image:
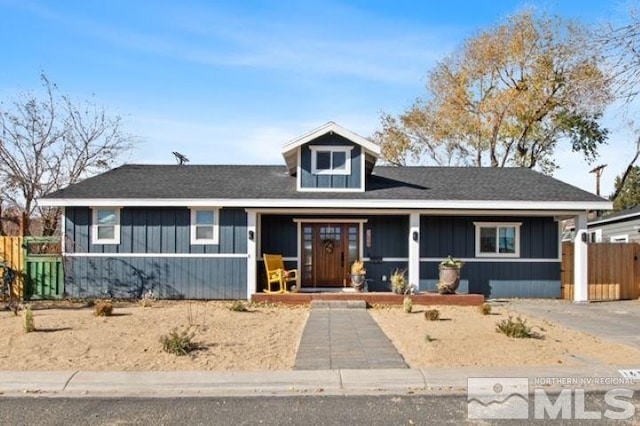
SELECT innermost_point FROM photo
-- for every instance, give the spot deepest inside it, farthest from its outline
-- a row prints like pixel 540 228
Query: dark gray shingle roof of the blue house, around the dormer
pixel 273 182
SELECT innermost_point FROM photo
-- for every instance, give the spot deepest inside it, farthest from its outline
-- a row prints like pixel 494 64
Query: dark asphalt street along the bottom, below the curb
pixel 278 410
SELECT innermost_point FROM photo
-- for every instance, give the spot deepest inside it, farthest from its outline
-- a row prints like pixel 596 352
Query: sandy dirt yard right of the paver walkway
pixel 464 337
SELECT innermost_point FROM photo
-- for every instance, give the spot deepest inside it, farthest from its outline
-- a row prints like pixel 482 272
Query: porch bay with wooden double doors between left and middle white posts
pixel 323 245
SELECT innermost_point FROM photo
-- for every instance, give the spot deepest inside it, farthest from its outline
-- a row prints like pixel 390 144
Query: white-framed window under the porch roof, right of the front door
pixel 497 239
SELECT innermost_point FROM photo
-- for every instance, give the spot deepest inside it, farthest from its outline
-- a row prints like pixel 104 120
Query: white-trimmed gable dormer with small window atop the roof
pixel 330 158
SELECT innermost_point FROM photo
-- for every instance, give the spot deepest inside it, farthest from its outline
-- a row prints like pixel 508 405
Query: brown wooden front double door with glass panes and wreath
pixel 328 250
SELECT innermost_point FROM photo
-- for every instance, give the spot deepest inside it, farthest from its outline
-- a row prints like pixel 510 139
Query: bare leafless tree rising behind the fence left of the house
pixel 48 142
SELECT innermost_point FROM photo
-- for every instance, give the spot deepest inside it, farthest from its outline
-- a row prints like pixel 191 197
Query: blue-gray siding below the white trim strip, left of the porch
pixel 168 278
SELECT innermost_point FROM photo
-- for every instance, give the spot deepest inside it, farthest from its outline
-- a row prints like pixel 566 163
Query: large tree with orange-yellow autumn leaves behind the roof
pixel 506 98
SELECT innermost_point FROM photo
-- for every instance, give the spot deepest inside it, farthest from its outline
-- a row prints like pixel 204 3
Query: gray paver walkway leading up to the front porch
pixel 343 335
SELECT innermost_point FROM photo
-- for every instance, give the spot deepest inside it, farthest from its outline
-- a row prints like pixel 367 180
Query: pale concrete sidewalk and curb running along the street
pixel 319 382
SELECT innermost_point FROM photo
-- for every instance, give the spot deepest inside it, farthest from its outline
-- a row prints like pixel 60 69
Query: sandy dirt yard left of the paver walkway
pixel 73 338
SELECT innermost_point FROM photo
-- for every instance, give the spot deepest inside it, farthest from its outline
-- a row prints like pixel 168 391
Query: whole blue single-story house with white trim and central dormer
pixel 199 231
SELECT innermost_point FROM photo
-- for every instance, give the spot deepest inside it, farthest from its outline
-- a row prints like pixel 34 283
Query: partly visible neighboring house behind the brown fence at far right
pixel 618 227
